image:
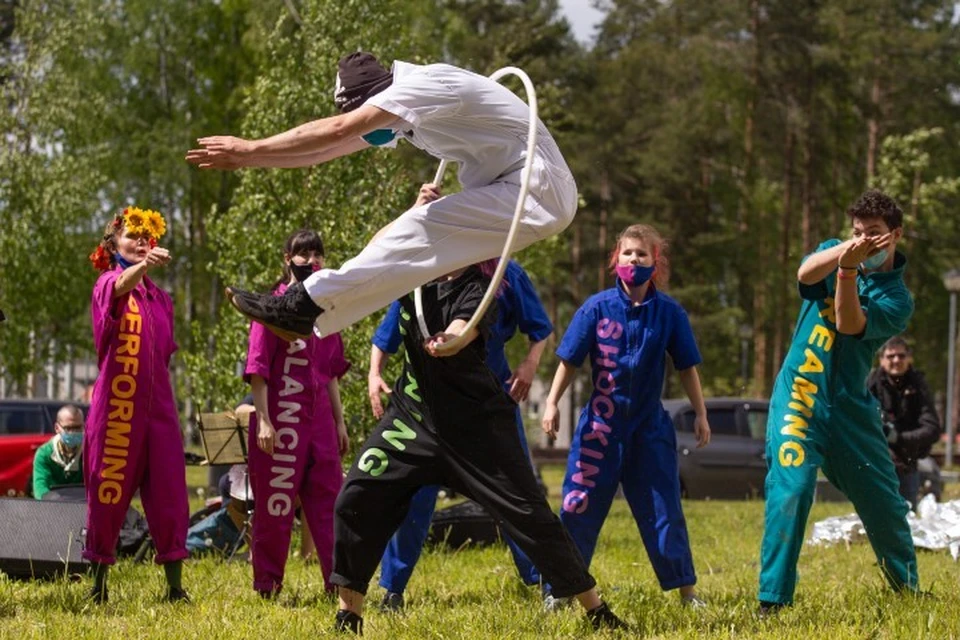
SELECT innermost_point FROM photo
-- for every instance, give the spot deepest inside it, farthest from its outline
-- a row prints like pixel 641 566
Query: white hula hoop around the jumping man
pixel 514 225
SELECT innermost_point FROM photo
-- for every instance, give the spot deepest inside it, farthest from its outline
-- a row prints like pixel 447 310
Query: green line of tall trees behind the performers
pixel 740 128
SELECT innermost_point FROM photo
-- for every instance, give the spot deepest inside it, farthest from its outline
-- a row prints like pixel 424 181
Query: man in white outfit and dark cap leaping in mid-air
pixel 450 113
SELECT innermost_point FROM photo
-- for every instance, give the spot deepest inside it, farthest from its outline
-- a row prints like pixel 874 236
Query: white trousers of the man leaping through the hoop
pixel 428 242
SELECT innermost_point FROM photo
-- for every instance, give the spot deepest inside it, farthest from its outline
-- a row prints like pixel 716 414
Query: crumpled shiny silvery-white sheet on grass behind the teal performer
pixel 934 527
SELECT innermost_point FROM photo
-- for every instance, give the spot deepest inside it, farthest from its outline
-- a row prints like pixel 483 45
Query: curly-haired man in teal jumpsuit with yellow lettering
pixel 821 414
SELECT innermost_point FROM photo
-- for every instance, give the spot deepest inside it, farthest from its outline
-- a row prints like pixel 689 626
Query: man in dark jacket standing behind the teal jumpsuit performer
pixel 910 420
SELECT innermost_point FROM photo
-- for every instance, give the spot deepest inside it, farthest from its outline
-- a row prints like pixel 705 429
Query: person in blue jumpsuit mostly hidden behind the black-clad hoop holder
pixel 518 307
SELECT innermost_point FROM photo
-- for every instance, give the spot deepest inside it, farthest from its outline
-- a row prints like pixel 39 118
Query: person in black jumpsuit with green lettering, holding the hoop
pixel 449 422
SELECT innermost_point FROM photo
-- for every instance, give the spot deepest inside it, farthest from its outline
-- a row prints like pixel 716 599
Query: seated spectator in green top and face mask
pixel 60 460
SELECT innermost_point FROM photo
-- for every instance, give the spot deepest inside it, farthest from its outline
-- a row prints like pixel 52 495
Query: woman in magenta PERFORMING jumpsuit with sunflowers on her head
pixel 132 440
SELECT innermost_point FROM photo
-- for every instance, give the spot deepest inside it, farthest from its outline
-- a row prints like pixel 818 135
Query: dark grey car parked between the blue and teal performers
pixel 734 465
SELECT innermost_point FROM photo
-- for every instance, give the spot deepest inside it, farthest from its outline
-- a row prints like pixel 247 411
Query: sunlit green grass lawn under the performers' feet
pixel 473 593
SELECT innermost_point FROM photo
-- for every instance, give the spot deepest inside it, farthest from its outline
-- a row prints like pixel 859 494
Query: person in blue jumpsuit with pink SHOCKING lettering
pixel 624 435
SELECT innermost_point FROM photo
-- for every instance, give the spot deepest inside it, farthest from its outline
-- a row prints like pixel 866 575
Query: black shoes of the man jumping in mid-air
pixel 290 316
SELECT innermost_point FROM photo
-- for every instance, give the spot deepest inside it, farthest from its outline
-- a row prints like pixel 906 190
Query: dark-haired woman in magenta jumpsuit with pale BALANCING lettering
pixel 300 434
